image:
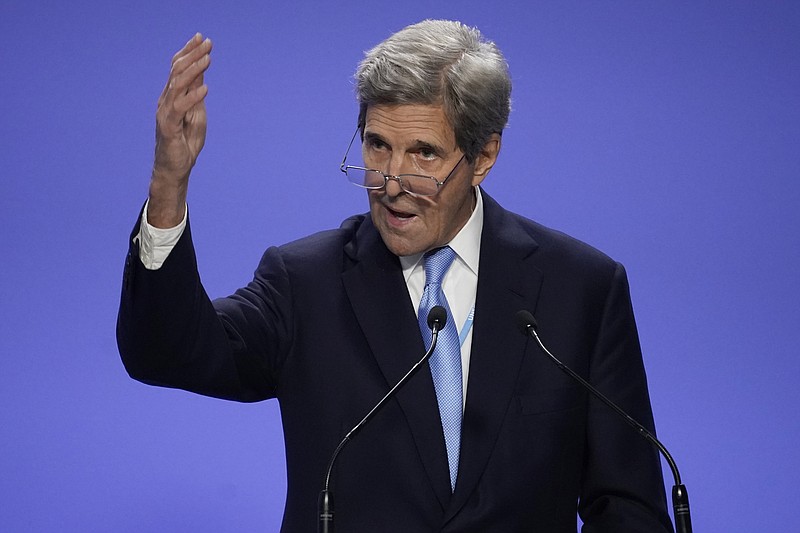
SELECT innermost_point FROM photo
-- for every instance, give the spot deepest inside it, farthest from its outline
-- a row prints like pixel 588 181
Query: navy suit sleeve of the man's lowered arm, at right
pixel 623 488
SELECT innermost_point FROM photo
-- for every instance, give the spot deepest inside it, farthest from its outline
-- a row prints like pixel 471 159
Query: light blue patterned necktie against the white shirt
pixel 445 362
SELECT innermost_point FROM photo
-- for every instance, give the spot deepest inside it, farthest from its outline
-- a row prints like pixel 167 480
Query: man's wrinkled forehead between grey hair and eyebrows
pixel 409 124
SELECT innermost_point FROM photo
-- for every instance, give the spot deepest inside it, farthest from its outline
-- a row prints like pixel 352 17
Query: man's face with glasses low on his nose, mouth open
pixel 418 139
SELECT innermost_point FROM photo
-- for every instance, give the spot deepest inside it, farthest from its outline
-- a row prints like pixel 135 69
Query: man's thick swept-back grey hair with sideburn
pixel 440 62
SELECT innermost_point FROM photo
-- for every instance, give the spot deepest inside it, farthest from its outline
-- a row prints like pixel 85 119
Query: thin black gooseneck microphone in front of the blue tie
pixel 437 318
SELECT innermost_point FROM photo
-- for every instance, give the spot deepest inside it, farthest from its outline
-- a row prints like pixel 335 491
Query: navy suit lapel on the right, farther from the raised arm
pixel 507 282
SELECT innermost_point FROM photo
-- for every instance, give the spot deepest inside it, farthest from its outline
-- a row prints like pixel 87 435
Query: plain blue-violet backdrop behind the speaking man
pixel 665 133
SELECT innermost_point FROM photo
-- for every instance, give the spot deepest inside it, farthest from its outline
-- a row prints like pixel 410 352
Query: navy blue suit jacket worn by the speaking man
pixel 326 326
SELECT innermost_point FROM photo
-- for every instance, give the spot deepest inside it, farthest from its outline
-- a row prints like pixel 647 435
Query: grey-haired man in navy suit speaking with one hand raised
pixel 330 322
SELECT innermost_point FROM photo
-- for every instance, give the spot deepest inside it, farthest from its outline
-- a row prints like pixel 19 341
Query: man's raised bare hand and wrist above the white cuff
pixel 180 132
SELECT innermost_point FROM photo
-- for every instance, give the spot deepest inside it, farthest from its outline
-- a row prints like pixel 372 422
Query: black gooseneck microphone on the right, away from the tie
pixel 680 499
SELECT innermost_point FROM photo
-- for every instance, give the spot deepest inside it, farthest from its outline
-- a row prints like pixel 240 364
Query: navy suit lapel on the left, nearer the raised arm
pixel 378 294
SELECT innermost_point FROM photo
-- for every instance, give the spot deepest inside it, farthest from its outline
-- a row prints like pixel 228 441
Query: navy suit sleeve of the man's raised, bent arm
pixel 170 333
